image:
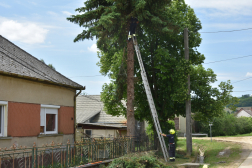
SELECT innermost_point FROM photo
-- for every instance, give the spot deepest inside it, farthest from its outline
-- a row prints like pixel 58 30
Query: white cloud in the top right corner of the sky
pixel 223 7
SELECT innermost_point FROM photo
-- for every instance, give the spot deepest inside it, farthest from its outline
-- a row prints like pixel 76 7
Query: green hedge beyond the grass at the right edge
pixel 227 125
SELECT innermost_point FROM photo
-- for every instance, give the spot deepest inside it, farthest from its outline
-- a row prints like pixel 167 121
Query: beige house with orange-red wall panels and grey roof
pixel 37 104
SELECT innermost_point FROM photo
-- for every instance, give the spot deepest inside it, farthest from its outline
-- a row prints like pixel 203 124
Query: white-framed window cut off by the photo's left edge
pixel 3 118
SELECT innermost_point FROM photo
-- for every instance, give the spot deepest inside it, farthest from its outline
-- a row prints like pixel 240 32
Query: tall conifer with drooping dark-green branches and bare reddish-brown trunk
pixel 109 21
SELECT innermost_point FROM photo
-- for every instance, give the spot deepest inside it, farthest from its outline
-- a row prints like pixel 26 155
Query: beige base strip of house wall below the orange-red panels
pixel 39 140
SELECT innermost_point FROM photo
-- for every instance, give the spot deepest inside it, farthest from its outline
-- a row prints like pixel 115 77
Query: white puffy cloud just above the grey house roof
pixel 27 32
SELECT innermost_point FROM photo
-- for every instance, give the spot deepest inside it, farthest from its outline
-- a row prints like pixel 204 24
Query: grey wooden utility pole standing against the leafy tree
pixel 188 102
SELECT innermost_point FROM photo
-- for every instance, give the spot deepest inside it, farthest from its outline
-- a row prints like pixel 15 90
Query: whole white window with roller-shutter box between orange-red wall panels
pixel 49 119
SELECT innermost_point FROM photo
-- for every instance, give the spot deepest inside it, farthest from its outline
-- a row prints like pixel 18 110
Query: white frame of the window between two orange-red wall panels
pixel 44 106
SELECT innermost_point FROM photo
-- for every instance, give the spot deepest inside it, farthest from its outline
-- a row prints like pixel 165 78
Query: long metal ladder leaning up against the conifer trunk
pixel 150 101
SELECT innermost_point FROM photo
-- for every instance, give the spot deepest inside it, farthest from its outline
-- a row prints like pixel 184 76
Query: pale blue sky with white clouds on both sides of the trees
pixel 40 28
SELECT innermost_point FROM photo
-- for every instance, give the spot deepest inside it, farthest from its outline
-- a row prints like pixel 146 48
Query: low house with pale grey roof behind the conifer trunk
pixel 93 121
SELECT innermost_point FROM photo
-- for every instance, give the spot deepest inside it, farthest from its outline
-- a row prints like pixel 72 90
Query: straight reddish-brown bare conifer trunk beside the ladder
pixel 130 89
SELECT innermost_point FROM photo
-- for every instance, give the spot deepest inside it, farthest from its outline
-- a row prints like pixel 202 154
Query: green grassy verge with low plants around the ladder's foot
pixel 212 149
